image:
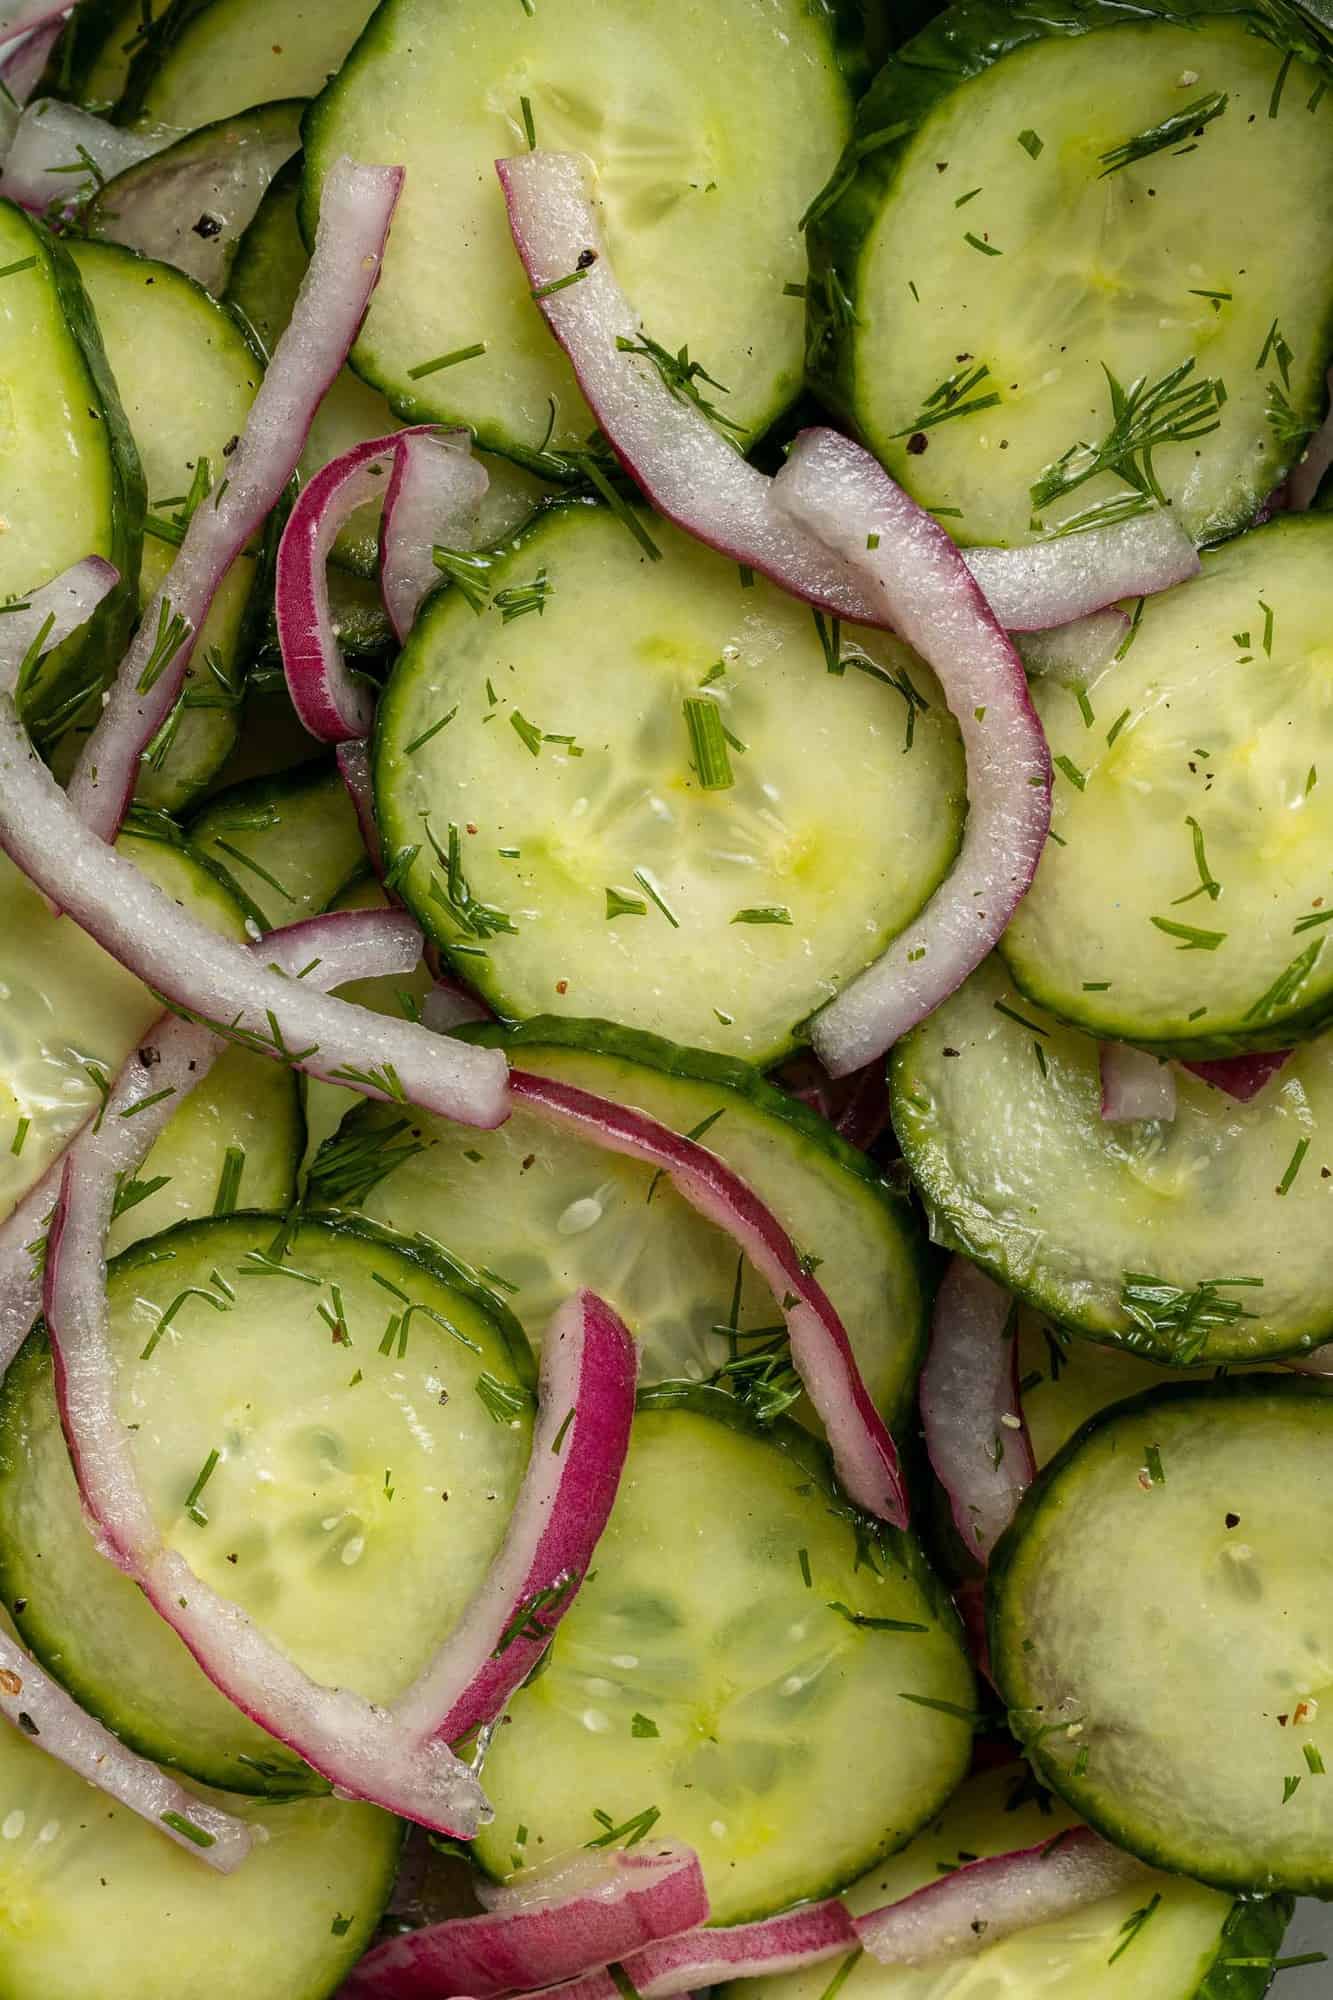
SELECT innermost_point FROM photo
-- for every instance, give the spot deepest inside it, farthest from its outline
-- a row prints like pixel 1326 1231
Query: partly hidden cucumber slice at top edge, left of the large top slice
pixel 213 59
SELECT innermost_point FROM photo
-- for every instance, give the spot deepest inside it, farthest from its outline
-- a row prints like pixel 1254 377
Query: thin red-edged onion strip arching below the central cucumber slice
pixel 864 1453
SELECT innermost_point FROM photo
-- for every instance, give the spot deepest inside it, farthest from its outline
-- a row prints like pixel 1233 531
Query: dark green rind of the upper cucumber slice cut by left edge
pixel 91 657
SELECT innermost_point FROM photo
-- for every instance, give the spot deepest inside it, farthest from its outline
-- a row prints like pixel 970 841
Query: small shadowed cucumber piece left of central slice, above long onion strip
pixel 285 845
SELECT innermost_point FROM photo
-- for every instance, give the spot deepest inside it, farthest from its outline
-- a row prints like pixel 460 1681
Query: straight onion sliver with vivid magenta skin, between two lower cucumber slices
pixel 579 1445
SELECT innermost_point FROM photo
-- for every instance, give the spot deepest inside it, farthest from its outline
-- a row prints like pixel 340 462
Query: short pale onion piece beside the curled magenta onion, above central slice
pixel 435 495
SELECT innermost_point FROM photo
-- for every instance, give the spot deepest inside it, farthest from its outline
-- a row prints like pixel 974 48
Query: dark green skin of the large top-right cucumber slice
pixel 956 47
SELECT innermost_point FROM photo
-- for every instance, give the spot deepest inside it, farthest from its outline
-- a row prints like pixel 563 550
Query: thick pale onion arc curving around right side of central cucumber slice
pixel 928 595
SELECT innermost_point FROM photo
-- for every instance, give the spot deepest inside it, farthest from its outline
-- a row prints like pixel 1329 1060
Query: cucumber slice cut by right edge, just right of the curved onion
pixel 1224 913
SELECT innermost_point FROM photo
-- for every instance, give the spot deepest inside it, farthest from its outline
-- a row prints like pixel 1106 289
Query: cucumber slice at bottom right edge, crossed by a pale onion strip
pixel 1180 1951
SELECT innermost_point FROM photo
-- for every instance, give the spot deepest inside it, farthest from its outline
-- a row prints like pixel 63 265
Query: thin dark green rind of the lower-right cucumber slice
pixel 1006 1651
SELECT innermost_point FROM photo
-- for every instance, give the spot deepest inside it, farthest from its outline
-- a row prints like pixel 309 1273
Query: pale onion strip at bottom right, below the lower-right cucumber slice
pixel 988 1901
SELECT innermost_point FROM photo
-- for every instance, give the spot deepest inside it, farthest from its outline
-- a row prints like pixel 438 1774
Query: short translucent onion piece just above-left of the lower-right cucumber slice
pixel 972 1409
